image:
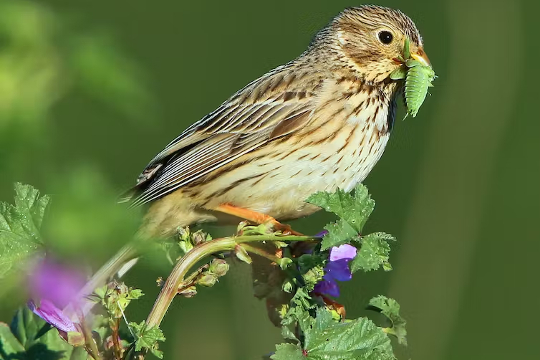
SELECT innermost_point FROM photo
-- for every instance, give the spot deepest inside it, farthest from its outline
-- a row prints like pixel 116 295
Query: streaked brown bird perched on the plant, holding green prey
pixel 317 123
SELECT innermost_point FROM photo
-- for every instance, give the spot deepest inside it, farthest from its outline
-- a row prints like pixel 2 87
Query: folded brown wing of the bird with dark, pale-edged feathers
pixel 271 107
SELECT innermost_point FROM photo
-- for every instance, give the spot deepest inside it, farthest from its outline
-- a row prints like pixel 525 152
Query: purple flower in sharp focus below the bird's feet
pixel 337 268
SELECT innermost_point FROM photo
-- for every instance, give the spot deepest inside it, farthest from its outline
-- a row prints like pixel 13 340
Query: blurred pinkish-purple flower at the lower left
pixel 52 288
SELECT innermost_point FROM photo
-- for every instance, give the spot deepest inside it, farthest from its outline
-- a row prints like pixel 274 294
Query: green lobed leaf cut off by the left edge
pixel 19 226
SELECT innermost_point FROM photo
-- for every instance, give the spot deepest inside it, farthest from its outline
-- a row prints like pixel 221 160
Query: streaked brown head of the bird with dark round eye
pixel 371 40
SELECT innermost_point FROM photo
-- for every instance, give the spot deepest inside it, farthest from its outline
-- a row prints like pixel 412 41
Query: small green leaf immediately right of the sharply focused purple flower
pixel 374 252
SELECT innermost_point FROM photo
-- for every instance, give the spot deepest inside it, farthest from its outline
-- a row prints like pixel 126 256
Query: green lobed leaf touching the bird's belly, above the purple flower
pixel 353 210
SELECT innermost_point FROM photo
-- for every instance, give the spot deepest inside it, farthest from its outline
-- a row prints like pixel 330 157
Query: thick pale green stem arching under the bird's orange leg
pixel 199 252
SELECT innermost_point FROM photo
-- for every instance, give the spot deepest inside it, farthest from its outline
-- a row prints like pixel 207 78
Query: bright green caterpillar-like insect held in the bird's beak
pixel 418 79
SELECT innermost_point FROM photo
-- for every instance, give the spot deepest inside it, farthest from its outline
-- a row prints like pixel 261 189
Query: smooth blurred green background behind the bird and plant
pixel 91 90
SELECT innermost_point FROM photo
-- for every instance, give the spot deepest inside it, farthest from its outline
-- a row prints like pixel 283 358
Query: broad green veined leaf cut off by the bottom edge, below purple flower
pixel 356 339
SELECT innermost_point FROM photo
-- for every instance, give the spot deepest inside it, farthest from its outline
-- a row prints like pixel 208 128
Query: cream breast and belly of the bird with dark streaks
pixel 337 150
